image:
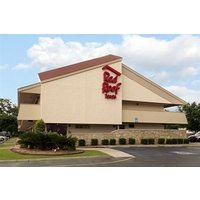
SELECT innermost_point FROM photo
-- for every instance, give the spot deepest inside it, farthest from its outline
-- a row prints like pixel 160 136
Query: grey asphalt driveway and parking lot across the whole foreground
pixel 163 156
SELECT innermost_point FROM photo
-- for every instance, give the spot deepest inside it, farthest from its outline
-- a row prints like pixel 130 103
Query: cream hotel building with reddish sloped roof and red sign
pixel 96 96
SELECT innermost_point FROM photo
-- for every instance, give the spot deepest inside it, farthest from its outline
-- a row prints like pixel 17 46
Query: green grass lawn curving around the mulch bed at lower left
pixel 7 154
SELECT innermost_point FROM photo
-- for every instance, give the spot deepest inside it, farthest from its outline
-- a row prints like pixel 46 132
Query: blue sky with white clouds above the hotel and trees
pixel 170 60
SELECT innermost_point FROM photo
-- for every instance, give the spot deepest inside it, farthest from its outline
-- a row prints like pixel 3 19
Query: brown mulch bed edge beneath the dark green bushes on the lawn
pixel 25 151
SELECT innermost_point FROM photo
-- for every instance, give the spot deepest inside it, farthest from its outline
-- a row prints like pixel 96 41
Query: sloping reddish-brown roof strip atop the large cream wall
pixel 78 66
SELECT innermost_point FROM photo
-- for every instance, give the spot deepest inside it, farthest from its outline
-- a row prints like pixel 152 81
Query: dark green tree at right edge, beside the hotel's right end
pixel 192 112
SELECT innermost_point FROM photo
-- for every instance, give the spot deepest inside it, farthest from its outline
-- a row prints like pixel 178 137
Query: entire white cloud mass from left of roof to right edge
pixel 166 62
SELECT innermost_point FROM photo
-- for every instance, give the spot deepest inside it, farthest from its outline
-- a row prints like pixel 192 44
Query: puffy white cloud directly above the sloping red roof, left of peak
pixel 52 53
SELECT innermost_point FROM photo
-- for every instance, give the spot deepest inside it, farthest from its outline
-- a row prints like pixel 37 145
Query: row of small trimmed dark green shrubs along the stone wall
pixel 124 141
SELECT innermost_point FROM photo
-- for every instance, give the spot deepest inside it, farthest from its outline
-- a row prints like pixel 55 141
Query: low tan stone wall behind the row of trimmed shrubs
pixel 137 134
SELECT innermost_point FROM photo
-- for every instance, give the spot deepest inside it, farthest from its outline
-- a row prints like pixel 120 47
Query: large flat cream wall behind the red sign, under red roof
pixel 78 99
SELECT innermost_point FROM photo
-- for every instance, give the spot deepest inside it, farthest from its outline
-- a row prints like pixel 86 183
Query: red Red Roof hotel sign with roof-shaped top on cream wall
pixel 110 85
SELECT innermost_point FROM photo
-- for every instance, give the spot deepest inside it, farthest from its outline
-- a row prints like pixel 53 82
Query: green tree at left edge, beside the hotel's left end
pixel 8 116
